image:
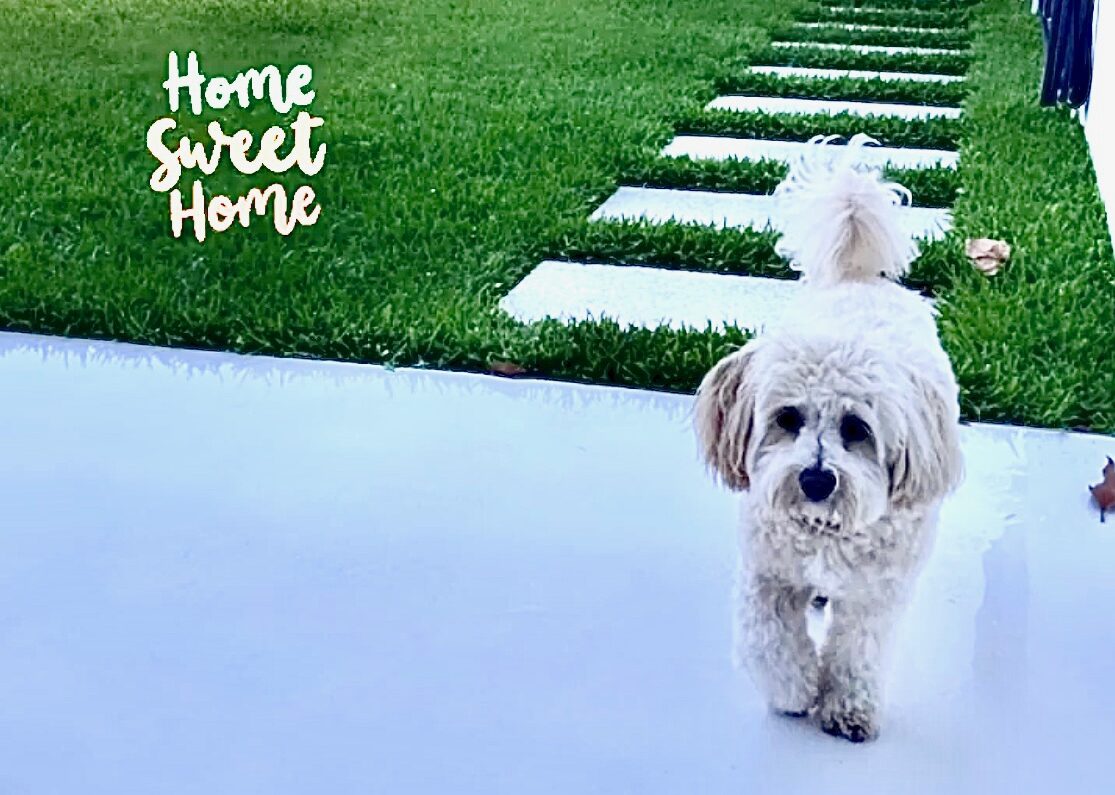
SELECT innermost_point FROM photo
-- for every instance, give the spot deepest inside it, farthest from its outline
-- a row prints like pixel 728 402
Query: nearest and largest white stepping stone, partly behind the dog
pixel 647 297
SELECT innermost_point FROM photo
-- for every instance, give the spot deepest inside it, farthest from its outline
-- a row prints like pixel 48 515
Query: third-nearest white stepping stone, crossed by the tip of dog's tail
pixel 710 148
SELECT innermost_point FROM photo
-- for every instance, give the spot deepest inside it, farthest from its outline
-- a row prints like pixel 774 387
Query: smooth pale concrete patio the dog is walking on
pixel 230 575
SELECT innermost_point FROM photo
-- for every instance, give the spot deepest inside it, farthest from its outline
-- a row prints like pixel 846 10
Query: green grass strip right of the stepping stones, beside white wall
pixel 1027 345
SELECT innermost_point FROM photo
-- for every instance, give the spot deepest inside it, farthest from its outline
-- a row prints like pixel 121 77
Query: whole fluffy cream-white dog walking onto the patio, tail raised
pixel 840 425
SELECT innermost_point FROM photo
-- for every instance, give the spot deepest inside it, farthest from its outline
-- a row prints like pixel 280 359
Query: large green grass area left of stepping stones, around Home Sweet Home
pixel 461 137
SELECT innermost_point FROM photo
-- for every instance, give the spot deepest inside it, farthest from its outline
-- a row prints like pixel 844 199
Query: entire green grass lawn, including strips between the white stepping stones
pixel 468 141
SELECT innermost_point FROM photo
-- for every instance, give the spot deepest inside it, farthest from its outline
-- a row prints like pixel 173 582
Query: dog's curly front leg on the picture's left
pixel 774 644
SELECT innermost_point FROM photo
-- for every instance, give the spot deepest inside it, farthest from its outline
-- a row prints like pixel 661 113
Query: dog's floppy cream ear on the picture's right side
pixel 928 463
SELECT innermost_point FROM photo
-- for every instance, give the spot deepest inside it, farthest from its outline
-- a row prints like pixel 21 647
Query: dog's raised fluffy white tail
pixel 840 220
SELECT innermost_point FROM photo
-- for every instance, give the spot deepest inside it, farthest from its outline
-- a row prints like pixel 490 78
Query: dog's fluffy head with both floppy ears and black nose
pixel 828 432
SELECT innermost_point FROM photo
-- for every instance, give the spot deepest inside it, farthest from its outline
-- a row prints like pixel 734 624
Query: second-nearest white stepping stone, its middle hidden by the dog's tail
pixel 733 211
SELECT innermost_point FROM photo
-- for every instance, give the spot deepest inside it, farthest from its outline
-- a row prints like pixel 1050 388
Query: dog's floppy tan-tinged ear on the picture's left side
pixel 724 416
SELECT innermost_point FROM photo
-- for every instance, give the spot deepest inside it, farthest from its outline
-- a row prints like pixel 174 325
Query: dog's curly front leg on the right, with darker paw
pixel 852 668
